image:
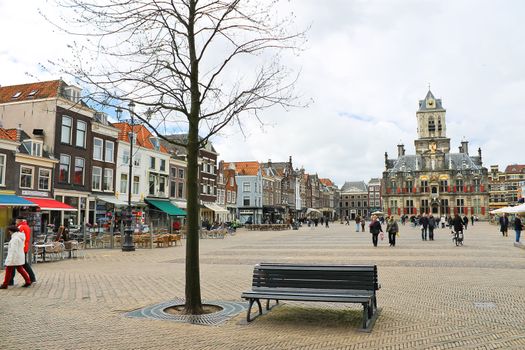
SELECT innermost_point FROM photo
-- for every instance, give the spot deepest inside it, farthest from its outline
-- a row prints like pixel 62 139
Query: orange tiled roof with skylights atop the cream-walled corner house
pixel 23 92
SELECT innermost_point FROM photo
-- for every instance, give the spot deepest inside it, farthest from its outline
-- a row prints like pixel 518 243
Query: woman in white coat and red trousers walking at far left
pixel 15 257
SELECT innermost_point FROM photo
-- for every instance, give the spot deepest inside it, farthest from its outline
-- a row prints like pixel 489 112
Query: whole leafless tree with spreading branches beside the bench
pixel 197 64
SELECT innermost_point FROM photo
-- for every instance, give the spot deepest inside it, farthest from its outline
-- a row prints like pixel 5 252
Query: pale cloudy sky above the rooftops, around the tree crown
pixel 365 66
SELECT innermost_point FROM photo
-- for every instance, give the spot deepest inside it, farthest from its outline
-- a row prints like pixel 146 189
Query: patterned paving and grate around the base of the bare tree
pixel 156 312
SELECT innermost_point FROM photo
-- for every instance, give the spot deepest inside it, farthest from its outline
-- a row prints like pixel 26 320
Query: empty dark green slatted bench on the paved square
pixel 318 283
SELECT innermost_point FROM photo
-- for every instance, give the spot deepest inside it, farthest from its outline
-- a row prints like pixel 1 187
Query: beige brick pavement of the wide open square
pixel 434 295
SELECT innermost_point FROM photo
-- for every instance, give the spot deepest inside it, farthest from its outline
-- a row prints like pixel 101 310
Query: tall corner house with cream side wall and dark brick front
pixel 54 111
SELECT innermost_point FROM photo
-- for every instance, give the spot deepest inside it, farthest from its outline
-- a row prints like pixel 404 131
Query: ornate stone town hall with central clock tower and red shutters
pixel 434 180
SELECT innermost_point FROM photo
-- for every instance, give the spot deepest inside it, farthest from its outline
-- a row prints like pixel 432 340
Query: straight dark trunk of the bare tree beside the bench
pixel 193 288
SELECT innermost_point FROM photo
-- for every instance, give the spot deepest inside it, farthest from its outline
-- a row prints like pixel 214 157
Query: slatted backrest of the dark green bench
pixel 293 276
